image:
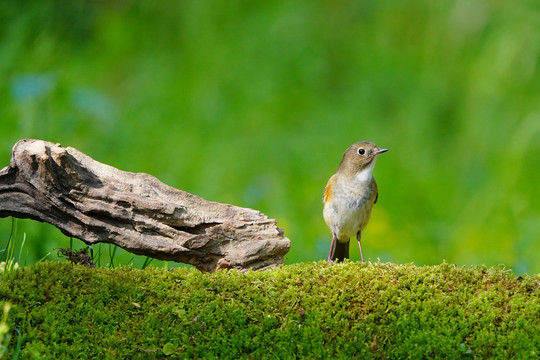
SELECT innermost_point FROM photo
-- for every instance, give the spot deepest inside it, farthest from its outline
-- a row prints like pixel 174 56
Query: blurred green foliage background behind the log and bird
pixel 253 103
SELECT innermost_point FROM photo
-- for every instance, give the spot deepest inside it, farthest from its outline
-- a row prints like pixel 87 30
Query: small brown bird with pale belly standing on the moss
pixel 349 197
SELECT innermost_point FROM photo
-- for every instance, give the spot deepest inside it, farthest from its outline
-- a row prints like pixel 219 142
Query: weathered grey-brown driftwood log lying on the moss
pixel 98 203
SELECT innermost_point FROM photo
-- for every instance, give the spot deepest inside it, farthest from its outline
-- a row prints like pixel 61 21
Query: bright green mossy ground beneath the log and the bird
pixel 306 310
